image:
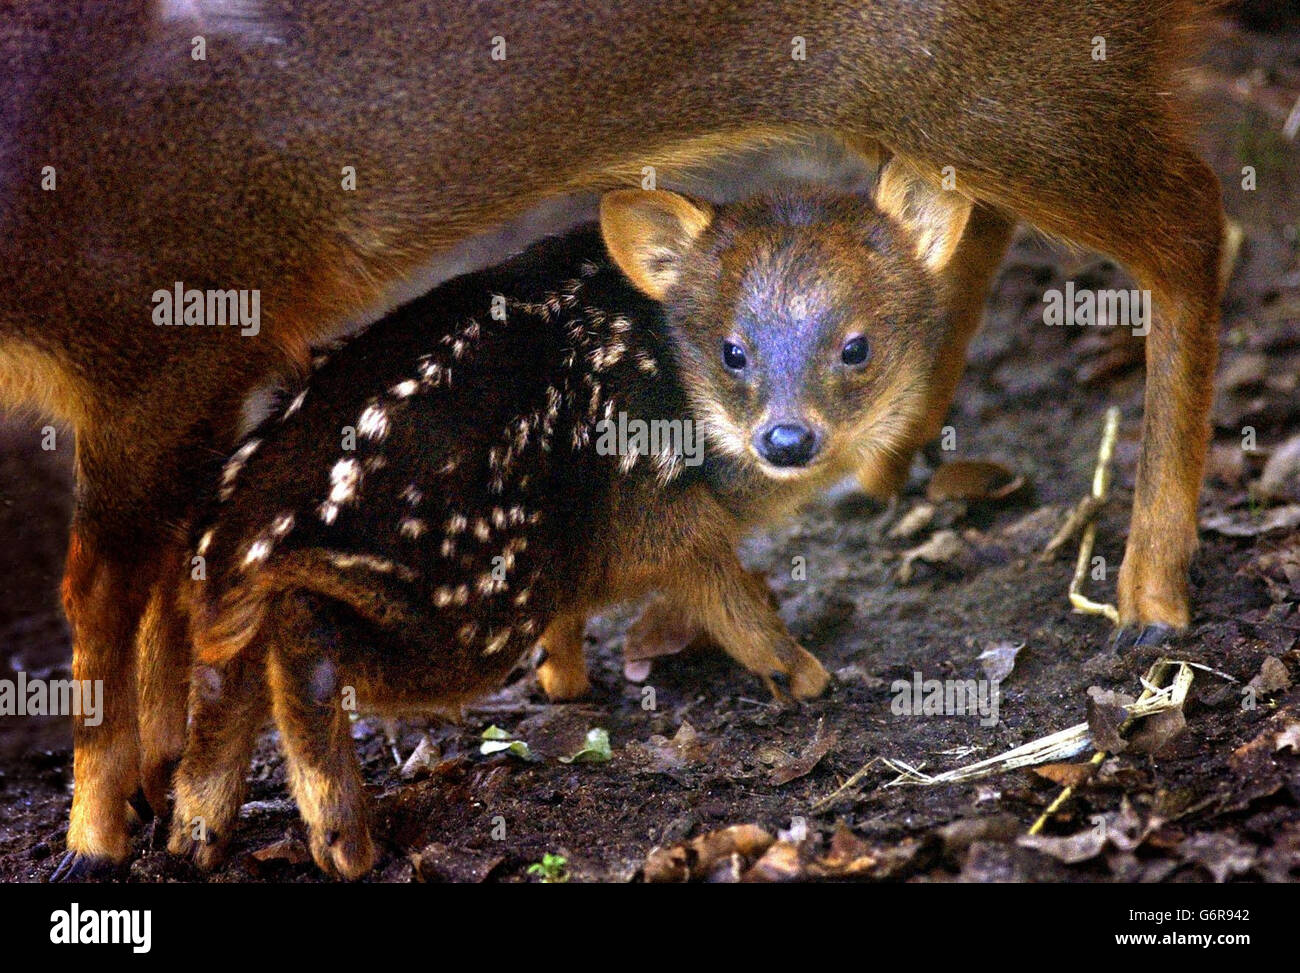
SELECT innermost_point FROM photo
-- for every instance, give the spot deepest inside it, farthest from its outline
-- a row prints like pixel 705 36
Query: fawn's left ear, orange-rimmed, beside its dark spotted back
pixel 649 232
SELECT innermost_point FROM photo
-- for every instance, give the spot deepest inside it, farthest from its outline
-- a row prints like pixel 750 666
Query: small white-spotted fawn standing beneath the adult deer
pixel 457 483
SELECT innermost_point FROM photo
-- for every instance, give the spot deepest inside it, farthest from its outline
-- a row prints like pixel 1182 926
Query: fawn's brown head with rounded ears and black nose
pixel 809 325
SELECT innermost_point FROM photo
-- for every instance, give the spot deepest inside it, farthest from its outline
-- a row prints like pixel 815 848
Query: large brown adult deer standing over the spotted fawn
pixel 319 154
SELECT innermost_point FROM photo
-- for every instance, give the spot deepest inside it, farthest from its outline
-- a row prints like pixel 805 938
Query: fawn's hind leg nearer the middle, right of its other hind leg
pixel 307 702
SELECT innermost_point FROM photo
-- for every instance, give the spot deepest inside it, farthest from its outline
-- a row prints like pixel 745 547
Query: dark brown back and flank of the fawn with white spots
pixel 439 468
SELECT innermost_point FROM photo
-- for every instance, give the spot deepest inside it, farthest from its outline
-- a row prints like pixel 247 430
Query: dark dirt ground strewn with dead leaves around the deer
pixel 1220 801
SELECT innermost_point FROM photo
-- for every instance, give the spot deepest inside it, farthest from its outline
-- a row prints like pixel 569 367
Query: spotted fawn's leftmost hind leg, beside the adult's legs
pixel 229 706
